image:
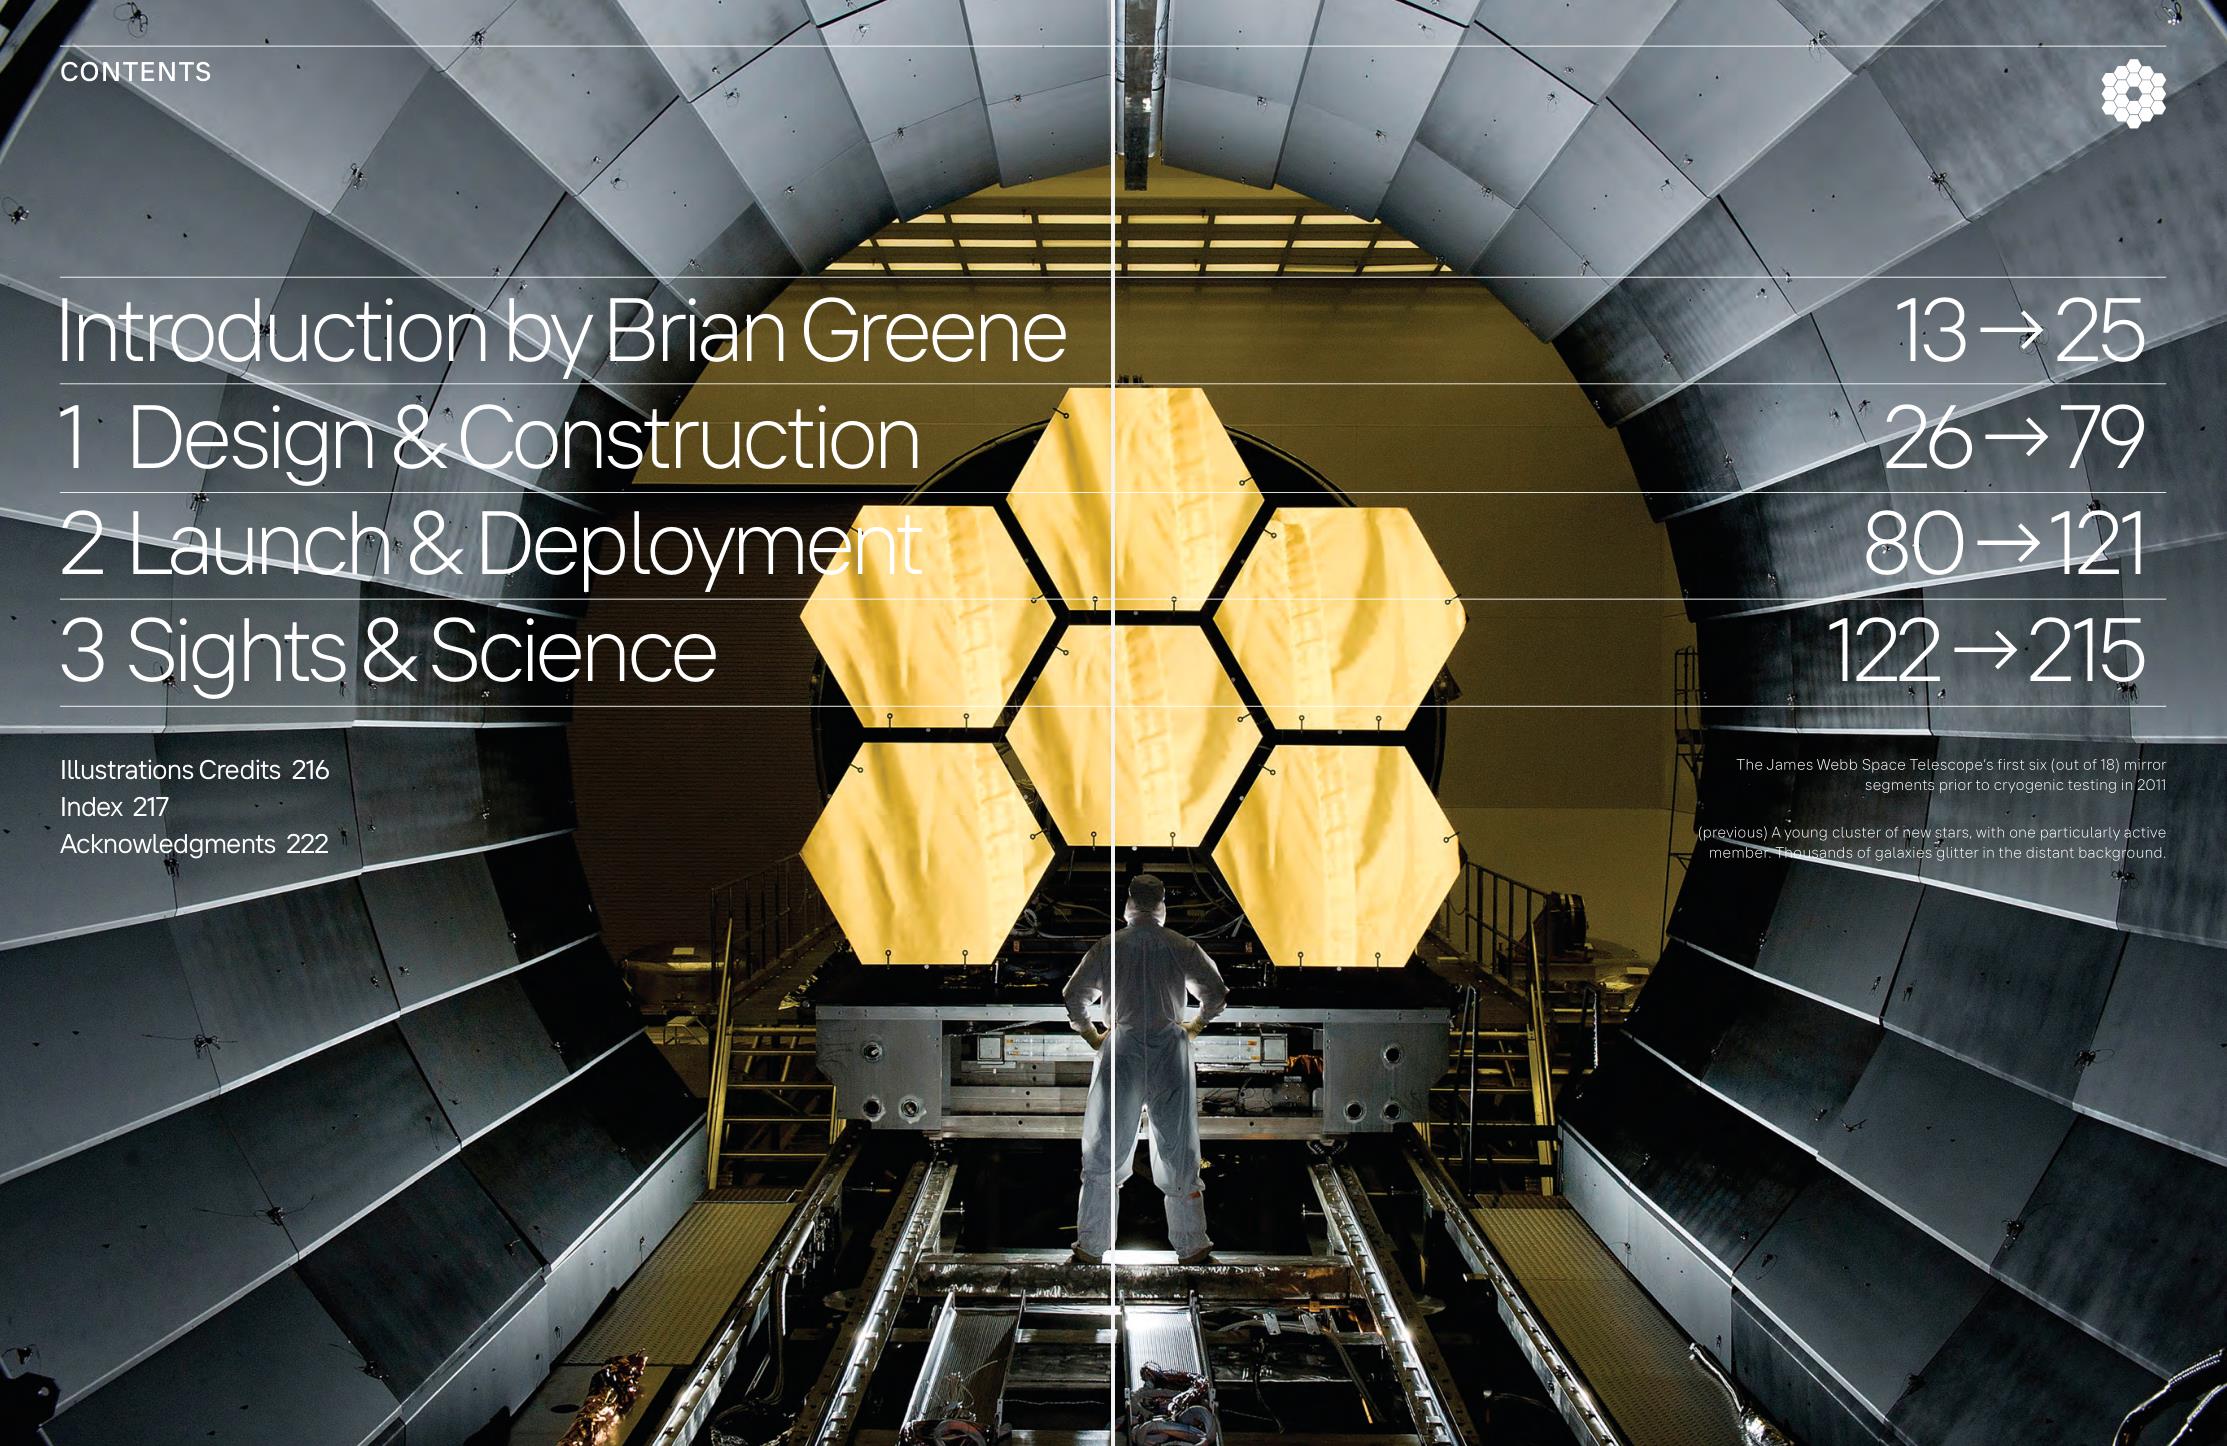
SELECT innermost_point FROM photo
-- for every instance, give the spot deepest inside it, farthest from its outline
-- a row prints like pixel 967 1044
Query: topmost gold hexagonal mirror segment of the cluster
pixel 1135 494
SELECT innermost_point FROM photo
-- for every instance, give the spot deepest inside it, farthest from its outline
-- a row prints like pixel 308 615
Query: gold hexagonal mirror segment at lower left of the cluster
pixel 928 852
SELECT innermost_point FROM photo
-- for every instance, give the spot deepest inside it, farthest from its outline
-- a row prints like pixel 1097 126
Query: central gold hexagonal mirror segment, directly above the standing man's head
pixel 1135 736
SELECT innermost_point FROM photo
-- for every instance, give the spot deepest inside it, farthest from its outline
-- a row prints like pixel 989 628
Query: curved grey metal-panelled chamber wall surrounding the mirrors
pixel 1916 1151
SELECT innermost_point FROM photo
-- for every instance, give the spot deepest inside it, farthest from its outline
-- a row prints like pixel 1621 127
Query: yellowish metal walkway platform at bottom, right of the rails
pixel 1627 1349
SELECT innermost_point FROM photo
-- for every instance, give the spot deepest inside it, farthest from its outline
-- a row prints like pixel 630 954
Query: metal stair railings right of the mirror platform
pixel 1498 921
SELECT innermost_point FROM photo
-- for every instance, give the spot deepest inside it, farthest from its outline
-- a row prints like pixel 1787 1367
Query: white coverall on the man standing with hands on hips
pixel 1144 975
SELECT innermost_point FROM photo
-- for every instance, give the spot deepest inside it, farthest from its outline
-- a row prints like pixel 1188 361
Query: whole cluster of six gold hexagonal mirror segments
pixel 1132 734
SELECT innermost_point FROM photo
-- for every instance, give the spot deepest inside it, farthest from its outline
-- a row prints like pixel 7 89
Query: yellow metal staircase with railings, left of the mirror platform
pixel 772 1111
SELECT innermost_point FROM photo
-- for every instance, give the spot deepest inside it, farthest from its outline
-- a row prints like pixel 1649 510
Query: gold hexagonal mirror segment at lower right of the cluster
pixel 1340 857
